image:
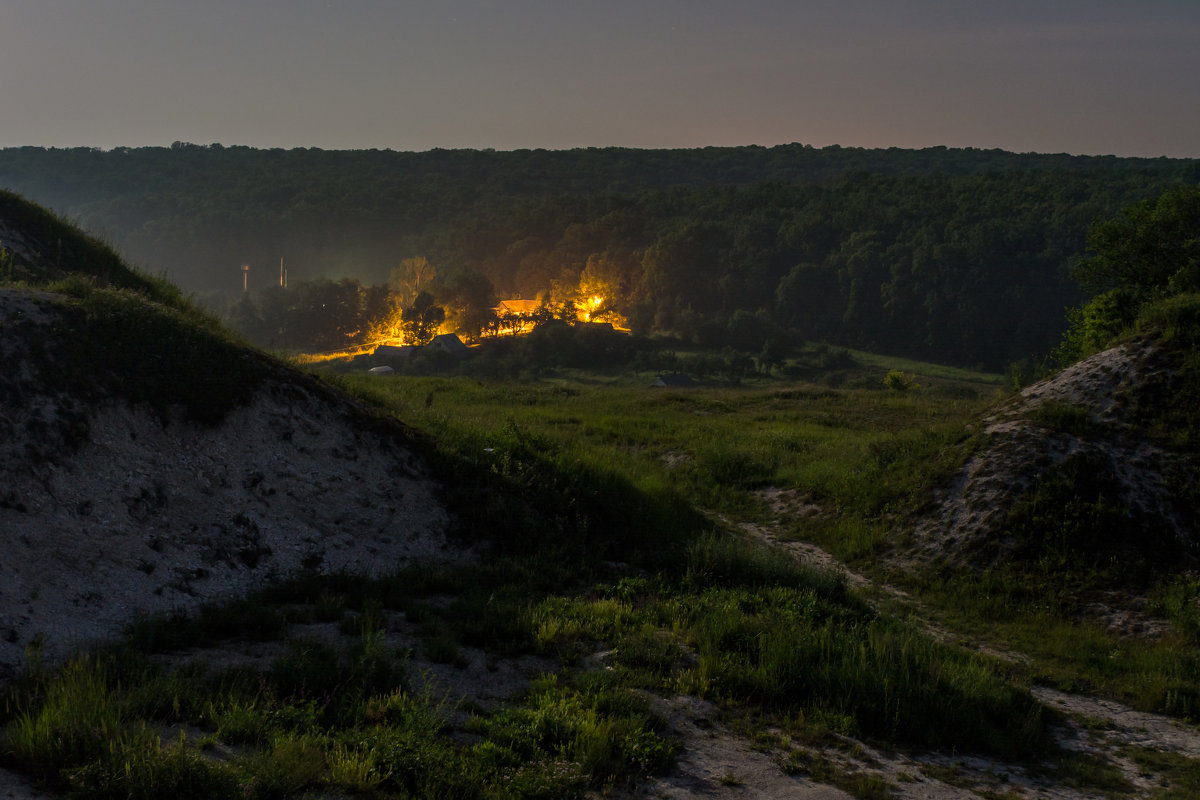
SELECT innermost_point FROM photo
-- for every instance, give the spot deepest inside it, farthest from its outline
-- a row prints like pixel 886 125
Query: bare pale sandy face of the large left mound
pixel 147 518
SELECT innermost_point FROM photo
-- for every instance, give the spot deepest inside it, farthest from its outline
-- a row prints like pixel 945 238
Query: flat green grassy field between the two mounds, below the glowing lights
pixel 854 452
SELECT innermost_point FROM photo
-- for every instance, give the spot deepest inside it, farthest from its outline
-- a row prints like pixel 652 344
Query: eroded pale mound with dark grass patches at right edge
pixel 1073 471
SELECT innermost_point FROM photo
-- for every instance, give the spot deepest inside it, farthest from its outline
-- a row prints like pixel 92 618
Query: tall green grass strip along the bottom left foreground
pixel 88 735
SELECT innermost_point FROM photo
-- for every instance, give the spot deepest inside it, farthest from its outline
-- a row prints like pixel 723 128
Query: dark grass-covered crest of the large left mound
pixel 124 334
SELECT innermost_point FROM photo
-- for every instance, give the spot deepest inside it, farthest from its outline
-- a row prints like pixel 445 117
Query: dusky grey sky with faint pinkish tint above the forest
pixel 1088 77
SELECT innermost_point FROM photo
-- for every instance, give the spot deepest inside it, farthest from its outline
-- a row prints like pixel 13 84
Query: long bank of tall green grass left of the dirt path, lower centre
pixel 745 625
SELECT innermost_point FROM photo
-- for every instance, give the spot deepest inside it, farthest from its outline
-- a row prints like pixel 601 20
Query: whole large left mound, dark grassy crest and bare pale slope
pixel 152 464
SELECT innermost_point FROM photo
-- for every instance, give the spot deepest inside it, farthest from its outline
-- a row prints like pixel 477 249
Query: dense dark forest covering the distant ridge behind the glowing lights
pixel 958 256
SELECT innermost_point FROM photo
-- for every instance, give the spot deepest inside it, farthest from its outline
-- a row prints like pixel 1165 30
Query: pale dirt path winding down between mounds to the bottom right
pixel 718 763
